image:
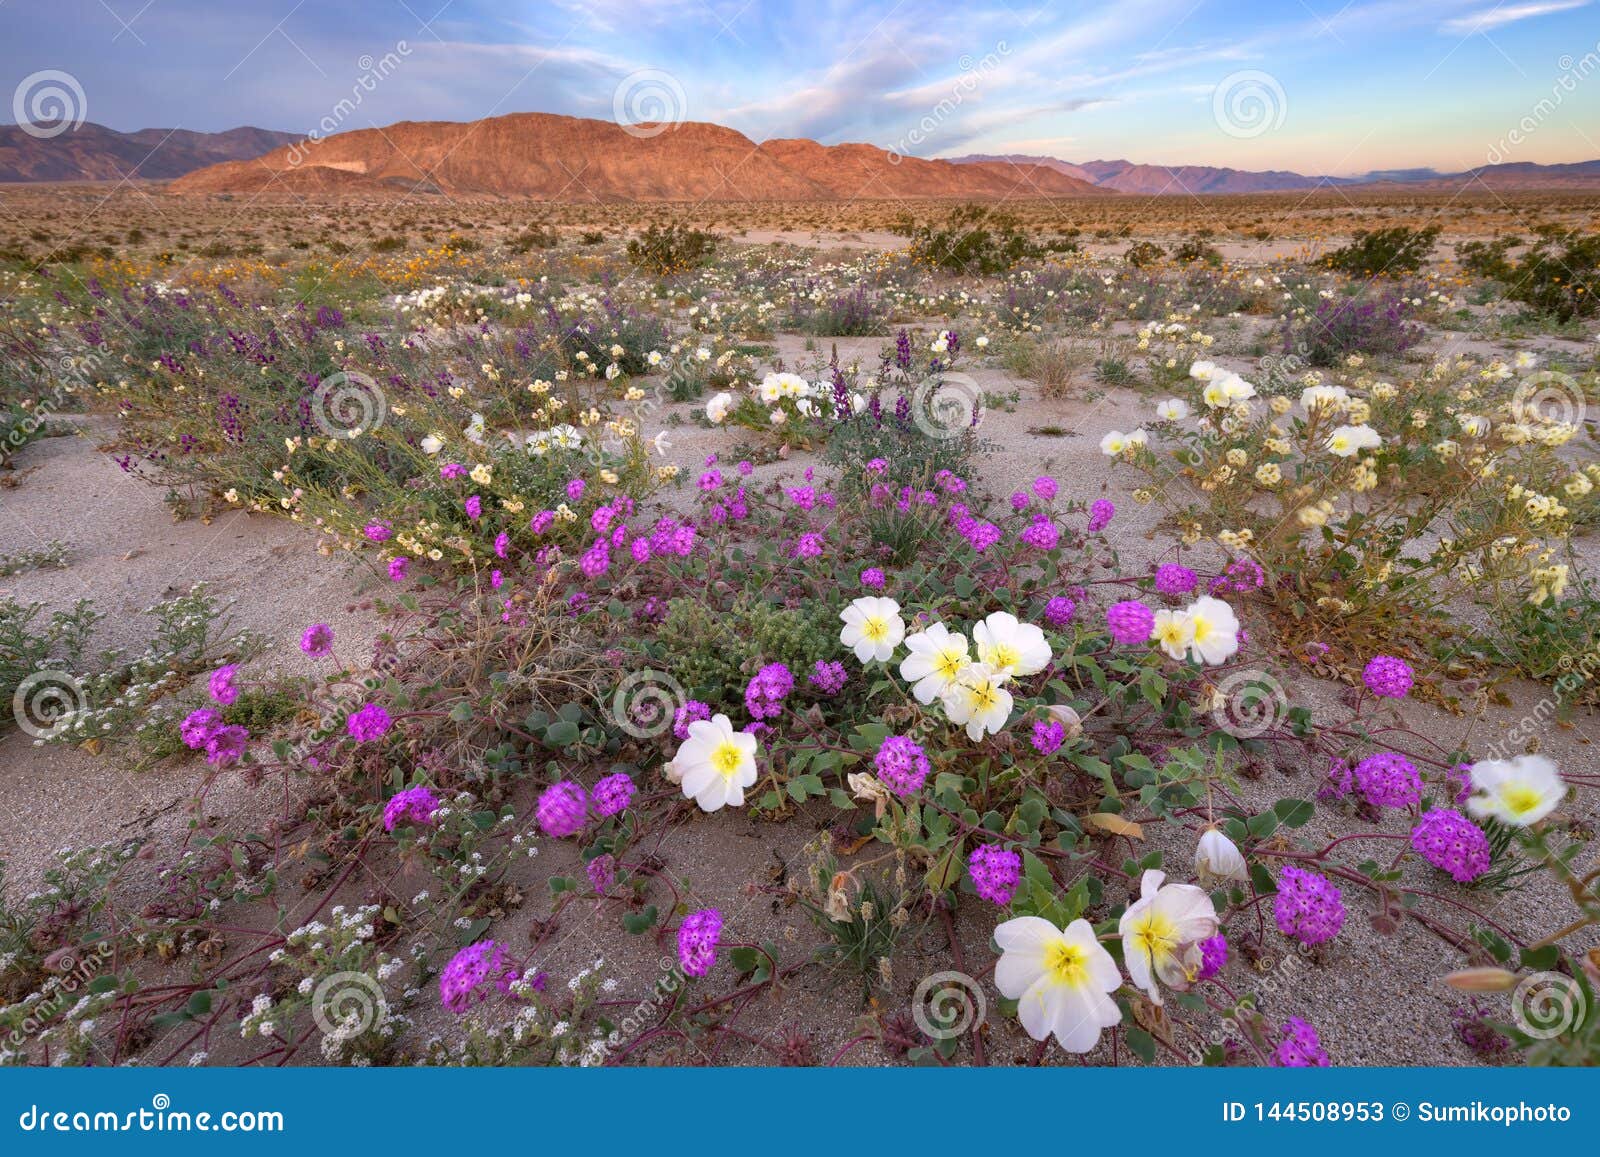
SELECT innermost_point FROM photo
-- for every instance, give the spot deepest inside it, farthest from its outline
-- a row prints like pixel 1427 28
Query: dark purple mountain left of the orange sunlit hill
pixel 94 153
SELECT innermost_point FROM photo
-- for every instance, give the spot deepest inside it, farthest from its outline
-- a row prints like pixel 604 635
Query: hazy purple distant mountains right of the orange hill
pixel 1158 180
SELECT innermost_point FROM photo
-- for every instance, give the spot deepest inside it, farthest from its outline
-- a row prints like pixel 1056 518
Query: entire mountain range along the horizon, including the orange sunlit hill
pixel 551 158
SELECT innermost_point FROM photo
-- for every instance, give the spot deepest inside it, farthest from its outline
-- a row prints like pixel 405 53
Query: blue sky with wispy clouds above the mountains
pixel 1310 86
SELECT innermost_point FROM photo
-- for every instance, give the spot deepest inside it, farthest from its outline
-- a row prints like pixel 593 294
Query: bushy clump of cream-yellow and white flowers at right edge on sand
pixel 1332 487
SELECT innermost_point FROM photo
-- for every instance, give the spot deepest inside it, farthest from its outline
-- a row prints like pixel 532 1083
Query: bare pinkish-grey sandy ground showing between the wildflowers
pixel 1377 999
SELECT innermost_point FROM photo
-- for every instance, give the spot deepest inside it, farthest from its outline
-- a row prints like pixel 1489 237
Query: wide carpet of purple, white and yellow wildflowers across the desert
pixel 1022 735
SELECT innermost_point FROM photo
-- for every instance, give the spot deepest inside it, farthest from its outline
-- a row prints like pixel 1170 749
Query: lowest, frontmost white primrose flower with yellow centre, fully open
pixel 1060 979
